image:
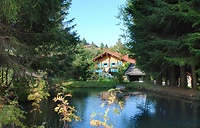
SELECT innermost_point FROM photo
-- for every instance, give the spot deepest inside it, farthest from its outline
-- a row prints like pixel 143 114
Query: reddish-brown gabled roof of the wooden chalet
pixel 117 55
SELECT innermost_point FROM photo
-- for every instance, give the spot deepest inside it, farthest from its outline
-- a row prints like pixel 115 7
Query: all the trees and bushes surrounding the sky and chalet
pixel 39 49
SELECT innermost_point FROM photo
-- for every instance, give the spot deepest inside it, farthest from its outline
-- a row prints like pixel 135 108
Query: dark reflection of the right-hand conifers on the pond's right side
pixel 168 112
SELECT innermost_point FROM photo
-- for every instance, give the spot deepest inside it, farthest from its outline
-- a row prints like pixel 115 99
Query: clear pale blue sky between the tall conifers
pixel 96 20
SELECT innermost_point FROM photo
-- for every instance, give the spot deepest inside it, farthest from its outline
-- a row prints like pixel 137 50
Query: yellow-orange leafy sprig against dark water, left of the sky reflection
pixel 64 109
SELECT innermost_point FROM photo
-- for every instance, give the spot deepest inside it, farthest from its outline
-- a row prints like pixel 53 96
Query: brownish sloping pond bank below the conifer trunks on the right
pixel 172 91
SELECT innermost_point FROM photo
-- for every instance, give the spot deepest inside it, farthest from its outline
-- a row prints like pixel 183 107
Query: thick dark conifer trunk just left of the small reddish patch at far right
pixel 183 78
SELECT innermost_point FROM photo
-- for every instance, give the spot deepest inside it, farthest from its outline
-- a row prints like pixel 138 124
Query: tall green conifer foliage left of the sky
pixel 34 36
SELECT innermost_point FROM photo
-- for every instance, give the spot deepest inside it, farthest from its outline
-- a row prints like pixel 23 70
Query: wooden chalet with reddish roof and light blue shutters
pixel 110 61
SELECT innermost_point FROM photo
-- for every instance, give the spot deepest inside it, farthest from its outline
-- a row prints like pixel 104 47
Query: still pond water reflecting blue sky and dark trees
pixel 140 110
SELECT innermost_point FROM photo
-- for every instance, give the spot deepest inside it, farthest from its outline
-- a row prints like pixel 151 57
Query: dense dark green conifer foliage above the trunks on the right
pixel 162 33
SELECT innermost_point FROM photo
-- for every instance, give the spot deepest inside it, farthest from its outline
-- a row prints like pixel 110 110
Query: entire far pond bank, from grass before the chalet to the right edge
pixel 171 91
